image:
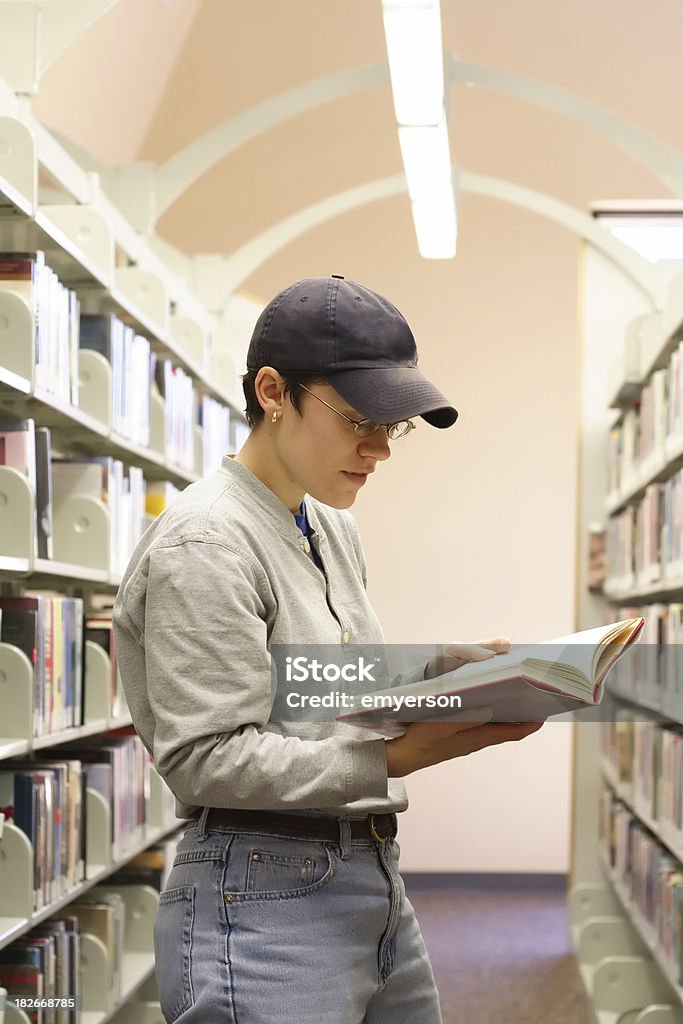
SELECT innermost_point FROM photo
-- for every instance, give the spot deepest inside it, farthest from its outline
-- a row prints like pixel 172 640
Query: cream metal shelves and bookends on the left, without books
pixel 113 270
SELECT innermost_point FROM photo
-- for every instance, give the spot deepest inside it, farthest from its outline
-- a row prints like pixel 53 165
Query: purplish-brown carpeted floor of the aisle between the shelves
pixel 501 958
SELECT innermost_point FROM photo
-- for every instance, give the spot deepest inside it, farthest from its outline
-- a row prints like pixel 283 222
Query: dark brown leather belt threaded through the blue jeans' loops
pixel 378 828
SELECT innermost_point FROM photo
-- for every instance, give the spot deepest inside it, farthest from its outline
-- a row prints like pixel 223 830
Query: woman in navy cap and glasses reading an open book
pixel 285 902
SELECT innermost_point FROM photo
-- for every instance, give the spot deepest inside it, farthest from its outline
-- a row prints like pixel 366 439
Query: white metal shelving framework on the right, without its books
pixel 625 972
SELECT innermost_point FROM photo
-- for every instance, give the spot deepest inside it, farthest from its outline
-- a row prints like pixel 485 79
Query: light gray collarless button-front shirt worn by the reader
pixel 221 577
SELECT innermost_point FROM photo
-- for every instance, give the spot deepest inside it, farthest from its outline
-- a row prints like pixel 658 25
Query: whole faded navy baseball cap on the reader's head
pixel 358 340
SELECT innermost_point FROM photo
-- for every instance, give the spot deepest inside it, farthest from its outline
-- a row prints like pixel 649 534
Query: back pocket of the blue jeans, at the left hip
pixel 174 951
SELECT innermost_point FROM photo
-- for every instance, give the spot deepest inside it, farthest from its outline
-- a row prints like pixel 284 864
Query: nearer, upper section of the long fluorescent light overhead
pixel 413 30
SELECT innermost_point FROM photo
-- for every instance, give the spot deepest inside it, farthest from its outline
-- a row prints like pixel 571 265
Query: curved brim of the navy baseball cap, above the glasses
pixel 388 395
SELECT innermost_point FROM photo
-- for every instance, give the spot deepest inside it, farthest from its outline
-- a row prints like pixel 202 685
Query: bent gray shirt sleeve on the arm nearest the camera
pixel 208 680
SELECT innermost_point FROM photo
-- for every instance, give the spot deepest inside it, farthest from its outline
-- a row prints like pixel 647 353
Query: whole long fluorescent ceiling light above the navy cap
pixel 413 30
